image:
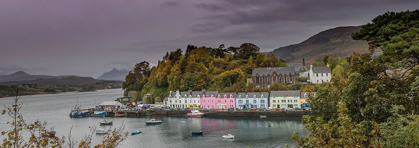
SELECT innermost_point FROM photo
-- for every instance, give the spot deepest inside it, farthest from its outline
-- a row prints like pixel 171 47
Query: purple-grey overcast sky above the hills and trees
pixel 90 37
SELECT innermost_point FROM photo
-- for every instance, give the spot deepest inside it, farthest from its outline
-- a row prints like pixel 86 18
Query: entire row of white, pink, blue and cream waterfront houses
pixel 240 100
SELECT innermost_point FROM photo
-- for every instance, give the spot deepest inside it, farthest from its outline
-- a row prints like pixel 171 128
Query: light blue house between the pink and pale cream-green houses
pixel 252 100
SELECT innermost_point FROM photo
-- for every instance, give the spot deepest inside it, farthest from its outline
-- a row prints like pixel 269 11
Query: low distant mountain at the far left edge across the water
pixel 21 76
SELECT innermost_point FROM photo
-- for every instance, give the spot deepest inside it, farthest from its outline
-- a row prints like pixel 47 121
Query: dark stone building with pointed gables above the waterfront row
pixel 264 77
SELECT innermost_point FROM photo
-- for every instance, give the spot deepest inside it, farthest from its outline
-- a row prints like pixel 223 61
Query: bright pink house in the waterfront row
pixel 214 100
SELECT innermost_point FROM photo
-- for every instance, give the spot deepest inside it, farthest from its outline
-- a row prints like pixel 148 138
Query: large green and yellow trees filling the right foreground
pixel 372 102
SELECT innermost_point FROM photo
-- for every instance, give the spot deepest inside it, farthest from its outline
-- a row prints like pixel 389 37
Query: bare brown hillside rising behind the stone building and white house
pixel 336 42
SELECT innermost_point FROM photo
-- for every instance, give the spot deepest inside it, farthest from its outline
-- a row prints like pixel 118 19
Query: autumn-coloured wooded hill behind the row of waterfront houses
pixel 200 68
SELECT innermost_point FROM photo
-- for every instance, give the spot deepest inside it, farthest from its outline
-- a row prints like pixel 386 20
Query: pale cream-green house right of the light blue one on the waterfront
pixel 284 99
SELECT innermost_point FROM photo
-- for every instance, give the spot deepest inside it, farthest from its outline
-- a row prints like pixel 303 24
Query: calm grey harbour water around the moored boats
pixel 174 132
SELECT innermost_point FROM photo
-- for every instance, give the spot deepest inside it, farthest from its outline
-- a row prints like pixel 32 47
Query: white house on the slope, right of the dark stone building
pixel 319 74
